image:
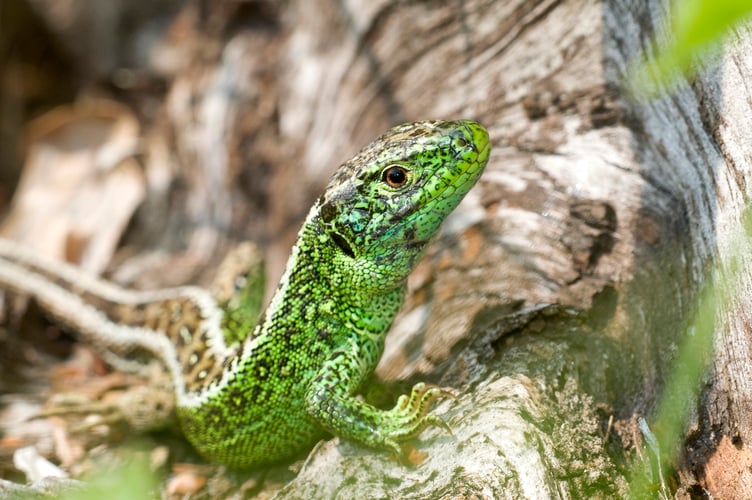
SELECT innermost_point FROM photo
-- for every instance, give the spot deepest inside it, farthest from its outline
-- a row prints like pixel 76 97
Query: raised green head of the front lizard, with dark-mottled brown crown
pixel 383 206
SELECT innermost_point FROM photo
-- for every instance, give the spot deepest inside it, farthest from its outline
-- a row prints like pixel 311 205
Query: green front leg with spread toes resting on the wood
pixel 331 401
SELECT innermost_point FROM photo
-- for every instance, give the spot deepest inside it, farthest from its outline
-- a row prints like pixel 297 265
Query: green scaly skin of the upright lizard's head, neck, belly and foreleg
pixel 324 331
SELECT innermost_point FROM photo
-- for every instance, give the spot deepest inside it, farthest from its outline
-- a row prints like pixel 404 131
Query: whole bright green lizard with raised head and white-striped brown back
pixel 251 396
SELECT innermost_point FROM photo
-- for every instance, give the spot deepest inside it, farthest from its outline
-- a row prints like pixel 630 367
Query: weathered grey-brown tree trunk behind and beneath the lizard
pixel 559 293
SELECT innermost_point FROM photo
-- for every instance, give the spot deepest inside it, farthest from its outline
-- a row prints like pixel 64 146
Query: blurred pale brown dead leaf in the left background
pixel 80 183
